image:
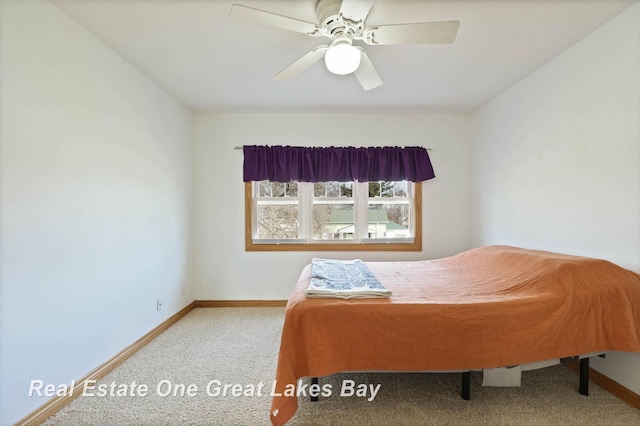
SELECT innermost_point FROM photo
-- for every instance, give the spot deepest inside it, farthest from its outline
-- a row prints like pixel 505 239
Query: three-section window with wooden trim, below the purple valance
pixel 356 216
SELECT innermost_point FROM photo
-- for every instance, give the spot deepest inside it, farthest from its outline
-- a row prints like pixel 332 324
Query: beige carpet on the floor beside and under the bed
pixel 240 346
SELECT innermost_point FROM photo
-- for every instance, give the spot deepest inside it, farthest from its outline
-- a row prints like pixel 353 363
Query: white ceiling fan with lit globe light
pixel 343 22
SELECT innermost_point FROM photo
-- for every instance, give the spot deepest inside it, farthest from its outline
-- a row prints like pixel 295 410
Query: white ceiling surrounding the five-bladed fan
pixel 211 62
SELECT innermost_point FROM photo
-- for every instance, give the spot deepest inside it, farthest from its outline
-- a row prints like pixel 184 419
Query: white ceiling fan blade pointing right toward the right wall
pixel 420 33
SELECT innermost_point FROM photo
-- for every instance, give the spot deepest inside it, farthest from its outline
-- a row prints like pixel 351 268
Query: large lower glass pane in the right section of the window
pixel 389 220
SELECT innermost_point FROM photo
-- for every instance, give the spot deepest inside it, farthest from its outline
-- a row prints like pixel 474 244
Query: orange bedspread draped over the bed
pixel 488 307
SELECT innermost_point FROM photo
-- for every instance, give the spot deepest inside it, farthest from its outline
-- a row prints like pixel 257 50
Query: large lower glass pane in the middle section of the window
pixel 333 221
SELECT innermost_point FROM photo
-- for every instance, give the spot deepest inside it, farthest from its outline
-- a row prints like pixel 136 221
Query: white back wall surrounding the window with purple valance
pixel 225 271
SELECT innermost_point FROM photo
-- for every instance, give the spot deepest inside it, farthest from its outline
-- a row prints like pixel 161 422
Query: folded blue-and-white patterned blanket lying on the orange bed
pixel 346 279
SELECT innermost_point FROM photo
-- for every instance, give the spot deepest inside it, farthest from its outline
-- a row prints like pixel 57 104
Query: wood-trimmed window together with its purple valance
pixel 334 198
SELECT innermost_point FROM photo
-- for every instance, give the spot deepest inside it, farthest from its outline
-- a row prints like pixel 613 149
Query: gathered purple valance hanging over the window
pixel 302 164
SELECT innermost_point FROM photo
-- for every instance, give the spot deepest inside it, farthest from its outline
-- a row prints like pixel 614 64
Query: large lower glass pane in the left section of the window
pixel 277 221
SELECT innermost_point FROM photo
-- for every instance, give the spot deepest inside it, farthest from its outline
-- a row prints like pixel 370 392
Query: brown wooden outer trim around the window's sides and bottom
pixel 372 245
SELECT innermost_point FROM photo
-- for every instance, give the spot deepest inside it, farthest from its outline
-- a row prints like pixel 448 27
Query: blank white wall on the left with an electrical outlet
pixel 96 195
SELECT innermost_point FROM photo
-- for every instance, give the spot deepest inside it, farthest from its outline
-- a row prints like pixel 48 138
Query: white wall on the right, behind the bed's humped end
pixel 556 159
